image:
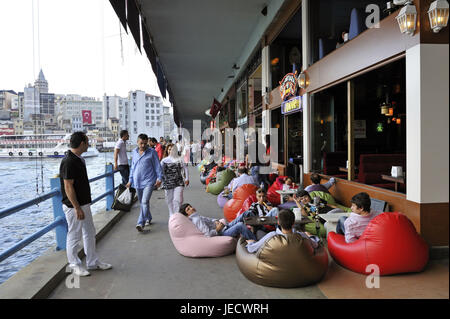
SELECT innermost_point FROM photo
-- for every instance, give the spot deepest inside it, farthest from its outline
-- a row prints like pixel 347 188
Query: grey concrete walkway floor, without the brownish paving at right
pixel 147 265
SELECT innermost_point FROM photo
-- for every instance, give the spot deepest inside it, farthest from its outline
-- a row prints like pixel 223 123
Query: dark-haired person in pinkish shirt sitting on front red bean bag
pixel 354 225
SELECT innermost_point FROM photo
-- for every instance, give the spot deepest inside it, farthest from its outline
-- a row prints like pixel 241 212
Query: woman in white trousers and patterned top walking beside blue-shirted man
pixel 175 176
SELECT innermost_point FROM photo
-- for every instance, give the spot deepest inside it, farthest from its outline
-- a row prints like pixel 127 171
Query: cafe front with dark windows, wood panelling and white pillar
pixel 373 106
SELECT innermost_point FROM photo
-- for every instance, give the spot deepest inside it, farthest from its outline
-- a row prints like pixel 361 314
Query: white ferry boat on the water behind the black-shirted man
pixel 39 145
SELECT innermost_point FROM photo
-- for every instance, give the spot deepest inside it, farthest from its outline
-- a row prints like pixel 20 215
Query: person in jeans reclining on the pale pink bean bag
pixel 213 227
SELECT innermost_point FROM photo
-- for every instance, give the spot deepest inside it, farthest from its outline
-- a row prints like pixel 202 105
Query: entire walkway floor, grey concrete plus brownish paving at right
pixel 148 266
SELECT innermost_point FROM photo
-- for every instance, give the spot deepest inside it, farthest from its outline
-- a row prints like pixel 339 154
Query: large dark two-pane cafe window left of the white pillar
pixel 379 134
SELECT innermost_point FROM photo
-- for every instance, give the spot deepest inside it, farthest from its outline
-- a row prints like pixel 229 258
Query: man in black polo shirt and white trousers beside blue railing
pixel 76 197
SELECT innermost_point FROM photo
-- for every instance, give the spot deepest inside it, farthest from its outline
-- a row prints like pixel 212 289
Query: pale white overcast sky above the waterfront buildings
pixel 78 48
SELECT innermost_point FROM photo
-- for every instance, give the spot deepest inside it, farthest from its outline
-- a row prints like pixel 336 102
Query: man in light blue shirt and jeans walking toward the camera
pixel 145 174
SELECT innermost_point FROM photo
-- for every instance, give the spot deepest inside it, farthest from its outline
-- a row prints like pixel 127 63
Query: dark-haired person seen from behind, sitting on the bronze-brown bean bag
pixel 286 220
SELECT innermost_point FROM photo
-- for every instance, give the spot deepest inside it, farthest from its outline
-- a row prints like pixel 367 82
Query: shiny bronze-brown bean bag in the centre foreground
pixel 283 262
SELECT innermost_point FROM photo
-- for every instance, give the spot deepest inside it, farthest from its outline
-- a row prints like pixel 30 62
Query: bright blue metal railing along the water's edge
pixel 59 223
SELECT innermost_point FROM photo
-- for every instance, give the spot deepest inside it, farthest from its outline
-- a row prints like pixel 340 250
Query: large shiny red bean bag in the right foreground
pixel 390 241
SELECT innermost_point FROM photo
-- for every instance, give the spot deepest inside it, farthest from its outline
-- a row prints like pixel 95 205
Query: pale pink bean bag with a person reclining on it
pixel 190 242
